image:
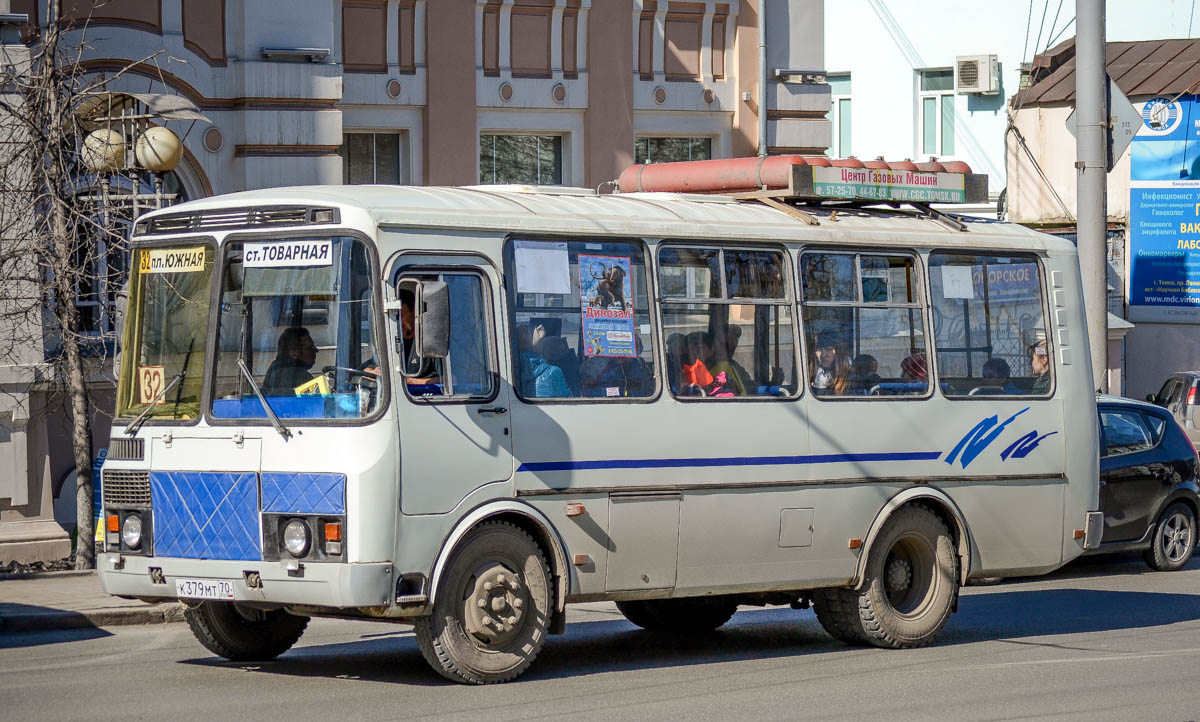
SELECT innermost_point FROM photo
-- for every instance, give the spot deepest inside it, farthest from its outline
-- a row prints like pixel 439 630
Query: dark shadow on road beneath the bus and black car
pixel 595 647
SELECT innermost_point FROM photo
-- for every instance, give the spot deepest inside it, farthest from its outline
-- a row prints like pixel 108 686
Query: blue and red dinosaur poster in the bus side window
pixel 607 298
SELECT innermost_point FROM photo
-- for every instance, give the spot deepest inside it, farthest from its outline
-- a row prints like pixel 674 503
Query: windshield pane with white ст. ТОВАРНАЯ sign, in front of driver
pixel 298 315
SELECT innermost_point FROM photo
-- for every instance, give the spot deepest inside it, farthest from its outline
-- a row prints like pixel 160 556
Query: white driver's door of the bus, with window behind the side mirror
pixel 453 412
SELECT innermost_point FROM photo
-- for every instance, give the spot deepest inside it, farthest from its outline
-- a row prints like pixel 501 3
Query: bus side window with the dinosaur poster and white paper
pixel 581 323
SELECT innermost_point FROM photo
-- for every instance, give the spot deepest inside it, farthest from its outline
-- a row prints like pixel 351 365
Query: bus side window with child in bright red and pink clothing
pixel 728 321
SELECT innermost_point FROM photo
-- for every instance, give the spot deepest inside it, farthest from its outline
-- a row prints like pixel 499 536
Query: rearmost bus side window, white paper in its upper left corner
pixel 988 318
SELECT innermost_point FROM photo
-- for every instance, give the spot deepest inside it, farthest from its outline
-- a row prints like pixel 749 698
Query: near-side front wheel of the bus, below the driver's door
pixel 500 565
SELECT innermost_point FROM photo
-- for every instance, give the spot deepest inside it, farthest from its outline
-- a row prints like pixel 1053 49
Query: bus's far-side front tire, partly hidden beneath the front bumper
pixel 242 634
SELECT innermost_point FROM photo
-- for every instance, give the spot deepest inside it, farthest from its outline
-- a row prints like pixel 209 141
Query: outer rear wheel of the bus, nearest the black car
pixel 911 585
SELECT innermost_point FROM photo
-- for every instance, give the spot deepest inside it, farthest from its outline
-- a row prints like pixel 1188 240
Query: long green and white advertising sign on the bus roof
pixel 884 184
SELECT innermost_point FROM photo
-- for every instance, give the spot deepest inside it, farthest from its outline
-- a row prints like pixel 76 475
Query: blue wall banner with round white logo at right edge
pixel 1165 213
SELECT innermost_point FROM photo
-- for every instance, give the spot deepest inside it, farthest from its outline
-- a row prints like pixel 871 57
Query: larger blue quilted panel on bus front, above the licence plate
pixel 200 515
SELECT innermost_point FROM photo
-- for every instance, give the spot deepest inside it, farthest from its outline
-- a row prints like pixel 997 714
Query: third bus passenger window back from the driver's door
pixel 863 326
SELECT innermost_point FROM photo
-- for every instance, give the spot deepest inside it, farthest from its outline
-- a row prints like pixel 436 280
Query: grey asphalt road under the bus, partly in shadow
pixel 1100 640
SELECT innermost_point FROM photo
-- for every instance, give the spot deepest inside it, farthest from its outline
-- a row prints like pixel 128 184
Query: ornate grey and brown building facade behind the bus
pixel 435 93
